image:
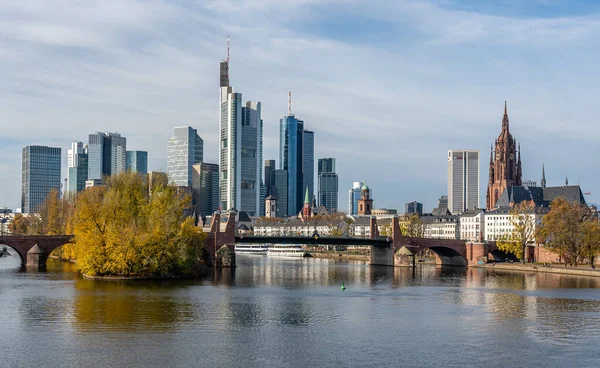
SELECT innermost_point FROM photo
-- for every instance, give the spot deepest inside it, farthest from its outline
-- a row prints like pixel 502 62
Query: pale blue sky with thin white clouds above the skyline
pixel 388 86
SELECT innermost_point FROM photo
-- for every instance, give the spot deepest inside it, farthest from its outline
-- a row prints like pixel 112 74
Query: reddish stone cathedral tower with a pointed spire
pixel 505 164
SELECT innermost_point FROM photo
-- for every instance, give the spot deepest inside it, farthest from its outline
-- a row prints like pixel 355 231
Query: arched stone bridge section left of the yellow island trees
pixel 34 250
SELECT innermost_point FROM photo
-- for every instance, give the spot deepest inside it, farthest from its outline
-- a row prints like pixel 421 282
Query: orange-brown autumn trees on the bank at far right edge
pixel 570 229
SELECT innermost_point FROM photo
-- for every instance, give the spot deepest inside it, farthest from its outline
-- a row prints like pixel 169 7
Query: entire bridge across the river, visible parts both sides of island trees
pixel 394 250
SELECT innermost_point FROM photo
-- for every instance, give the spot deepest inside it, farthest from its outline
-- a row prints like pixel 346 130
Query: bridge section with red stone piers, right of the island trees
pixel 395 250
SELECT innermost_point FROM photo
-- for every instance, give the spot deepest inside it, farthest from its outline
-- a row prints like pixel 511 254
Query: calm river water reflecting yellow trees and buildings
pixel 292 313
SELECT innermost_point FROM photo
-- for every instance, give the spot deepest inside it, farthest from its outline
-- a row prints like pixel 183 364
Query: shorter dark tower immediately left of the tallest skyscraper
pixel 205 187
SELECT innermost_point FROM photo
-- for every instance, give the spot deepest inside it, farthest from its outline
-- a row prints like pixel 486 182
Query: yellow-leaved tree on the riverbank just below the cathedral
pixel 523 221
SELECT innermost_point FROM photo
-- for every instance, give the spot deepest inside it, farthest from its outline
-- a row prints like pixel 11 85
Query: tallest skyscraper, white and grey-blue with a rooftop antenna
pixel 240 148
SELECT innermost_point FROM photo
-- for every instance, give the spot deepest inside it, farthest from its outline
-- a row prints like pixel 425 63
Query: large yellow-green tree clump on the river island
pixel 122 230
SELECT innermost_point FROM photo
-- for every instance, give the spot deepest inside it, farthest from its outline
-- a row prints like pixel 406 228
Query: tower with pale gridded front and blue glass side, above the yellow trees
pixel 184 149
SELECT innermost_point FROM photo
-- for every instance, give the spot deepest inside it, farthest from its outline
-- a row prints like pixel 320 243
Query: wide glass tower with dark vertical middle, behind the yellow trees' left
pixel 106 154
